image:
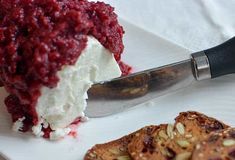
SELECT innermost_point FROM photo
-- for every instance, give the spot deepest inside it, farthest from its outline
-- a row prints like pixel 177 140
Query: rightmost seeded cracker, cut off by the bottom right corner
pixel 218 146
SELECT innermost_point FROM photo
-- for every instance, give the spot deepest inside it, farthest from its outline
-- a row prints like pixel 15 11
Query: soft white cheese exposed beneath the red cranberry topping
pixel 61 105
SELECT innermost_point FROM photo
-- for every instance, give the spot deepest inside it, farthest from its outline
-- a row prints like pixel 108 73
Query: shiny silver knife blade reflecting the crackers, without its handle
pixel 115 96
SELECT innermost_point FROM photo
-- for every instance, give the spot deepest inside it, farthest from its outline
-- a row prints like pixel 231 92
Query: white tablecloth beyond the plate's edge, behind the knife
pixel 193 24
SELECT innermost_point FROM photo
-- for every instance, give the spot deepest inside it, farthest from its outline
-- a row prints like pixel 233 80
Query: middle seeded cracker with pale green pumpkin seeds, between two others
pixel 174 141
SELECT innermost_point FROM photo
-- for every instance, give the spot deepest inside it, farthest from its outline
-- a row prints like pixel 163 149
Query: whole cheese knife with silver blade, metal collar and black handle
pixel 107 98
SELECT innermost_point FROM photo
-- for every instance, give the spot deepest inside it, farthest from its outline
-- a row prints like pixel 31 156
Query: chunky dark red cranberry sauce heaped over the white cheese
pixel 38 37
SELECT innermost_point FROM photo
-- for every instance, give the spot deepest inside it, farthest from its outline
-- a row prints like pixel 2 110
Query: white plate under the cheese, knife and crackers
pixel 143 50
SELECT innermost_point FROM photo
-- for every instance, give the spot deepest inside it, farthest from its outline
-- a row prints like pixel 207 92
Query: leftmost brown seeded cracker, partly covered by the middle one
pixel 114 150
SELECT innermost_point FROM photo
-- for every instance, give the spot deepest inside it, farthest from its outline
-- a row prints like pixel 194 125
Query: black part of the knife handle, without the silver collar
pixel 222 58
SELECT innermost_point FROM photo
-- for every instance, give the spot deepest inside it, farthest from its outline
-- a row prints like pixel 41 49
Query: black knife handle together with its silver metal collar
pixel 215 62
